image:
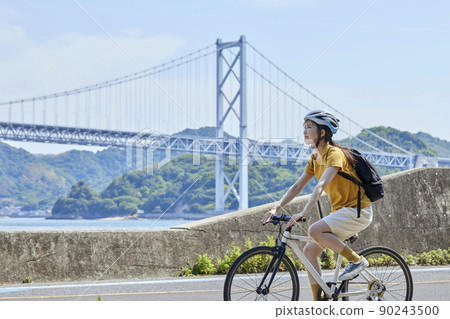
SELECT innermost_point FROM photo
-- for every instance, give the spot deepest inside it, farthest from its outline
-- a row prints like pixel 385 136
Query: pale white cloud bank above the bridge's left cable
pixel 73 60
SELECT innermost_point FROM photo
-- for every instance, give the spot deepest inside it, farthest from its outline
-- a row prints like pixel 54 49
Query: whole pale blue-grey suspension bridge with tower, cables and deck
pixel 231 86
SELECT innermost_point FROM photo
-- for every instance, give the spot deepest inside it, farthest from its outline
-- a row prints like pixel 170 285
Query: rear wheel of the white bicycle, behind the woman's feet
pixel 392 271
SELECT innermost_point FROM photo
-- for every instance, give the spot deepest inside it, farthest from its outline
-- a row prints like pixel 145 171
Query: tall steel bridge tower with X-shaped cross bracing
pixel 225 107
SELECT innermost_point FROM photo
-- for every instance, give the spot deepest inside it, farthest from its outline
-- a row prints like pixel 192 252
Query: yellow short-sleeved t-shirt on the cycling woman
pixel 342 192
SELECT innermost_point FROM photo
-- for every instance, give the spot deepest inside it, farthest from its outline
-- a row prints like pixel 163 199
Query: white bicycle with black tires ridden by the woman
pixel 267 273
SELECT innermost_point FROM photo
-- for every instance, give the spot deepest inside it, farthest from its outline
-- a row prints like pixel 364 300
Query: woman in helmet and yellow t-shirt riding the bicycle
pixel 329 232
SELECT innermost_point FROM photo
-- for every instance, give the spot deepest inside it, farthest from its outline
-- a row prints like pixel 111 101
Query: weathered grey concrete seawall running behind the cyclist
pixel 413 217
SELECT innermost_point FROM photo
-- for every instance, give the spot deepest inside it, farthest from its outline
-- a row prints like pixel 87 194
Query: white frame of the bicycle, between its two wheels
pixel 287 237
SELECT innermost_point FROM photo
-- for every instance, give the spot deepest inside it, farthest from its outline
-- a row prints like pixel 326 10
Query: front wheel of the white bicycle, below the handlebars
pixel 244 281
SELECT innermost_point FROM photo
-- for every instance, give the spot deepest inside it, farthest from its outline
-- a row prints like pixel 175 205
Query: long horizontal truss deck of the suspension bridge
pixel 147 139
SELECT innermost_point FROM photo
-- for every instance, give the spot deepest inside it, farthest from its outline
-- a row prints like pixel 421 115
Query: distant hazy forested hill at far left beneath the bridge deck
pixel 36 182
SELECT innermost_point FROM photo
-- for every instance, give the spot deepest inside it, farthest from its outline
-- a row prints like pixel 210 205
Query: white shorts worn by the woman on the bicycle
pixel 344 222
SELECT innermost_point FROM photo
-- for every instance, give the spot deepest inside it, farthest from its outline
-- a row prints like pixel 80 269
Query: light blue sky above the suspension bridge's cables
pixel 390 69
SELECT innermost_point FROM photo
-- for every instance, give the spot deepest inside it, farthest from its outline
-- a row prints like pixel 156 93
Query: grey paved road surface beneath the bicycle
pixel 430 284
